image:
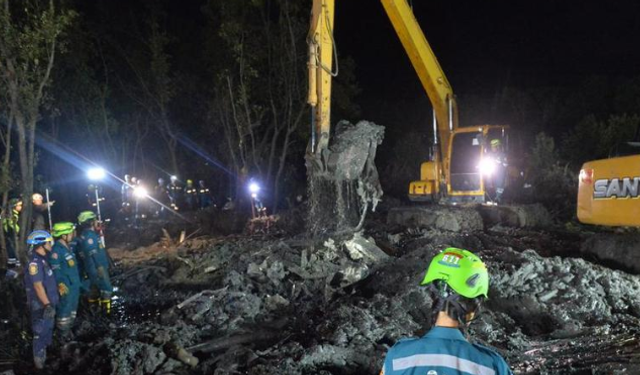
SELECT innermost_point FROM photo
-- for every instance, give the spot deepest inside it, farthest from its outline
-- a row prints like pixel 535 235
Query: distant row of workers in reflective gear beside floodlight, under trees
pixel 173 195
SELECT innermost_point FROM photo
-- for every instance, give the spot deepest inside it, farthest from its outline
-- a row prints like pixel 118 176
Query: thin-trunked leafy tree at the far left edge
pixel 30 36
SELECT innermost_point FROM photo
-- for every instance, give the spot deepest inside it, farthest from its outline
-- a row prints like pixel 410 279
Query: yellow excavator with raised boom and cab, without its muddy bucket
pixel 448 173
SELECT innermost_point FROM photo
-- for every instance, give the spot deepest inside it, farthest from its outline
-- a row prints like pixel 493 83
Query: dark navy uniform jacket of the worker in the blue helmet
pixel 39 270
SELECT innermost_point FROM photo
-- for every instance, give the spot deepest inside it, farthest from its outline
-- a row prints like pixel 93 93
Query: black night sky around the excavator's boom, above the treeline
pixel 484 45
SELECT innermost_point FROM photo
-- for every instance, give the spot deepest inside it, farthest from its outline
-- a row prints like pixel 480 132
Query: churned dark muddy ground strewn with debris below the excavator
pixel 285 304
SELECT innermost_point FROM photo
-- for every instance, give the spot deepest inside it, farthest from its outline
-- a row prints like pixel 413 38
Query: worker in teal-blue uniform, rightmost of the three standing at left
pixel 97 260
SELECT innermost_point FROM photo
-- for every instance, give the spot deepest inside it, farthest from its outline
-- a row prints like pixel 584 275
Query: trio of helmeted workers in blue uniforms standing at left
pixel 61 268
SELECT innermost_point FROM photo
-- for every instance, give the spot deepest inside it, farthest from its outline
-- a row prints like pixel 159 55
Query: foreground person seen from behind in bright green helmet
pixel 459 282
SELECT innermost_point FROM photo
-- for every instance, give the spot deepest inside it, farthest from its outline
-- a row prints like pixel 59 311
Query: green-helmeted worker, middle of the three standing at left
pixel 65 268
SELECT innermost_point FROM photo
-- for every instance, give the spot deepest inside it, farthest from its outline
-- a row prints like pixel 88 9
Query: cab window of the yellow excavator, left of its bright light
pixel 466 152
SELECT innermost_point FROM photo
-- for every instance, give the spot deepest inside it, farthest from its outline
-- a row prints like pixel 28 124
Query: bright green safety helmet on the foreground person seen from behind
pixel 462 270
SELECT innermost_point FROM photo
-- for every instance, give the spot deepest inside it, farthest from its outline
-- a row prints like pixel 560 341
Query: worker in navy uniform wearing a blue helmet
pixel 42 294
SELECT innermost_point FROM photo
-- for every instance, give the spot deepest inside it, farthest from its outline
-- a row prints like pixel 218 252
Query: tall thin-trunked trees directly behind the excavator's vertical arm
pixel 261 85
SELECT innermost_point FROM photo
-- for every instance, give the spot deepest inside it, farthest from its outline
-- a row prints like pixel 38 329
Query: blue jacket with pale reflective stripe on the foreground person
pixel 443 351
